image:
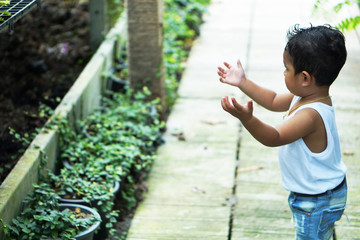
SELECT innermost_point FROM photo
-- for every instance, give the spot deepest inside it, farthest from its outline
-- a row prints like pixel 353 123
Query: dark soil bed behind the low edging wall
pixel 39 62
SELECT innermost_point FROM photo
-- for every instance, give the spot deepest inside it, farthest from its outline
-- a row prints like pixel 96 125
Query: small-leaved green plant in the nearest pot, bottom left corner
pixel 42 218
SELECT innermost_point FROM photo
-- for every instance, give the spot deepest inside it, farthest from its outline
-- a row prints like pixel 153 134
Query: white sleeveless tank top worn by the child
pixel 306 172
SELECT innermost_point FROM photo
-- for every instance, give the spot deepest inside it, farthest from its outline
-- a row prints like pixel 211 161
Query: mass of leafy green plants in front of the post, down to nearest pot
pixel 115 142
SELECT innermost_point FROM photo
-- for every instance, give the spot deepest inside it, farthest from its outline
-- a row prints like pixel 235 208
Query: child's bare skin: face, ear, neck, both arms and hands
pixel 306 123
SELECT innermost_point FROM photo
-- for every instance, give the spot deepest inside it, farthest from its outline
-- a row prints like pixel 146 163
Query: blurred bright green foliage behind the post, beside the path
pixel 182 20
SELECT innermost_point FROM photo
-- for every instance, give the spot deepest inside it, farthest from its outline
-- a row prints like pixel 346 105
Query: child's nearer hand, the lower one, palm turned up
pixel 242 112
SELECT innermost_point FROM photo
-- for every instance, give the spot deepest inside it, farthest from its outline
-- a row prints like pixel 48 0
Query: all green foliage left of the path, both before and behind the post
pixel 116 142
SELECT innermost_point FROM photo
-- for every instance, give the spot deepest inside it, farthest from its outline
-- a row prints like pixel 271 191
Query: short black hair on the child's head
pixel 319 50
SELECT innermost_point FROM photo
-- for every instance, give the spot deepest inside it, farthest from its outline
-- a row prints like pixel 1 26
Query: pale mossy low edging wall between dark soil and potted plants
pixel 81 99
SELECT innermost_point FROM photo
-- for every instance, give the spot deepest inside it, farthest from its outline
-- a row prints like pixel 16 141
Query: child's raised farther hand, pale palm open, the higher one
pixel 233 75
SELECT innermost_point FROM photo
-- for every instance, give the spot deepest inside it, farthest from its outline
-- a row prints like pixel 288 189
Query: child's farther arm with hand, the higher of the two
pixel 235 76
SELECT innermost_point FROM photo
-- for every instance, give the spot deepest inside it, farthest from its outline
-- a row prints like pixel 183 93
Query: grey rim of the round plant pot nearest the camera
pixel 89 233
